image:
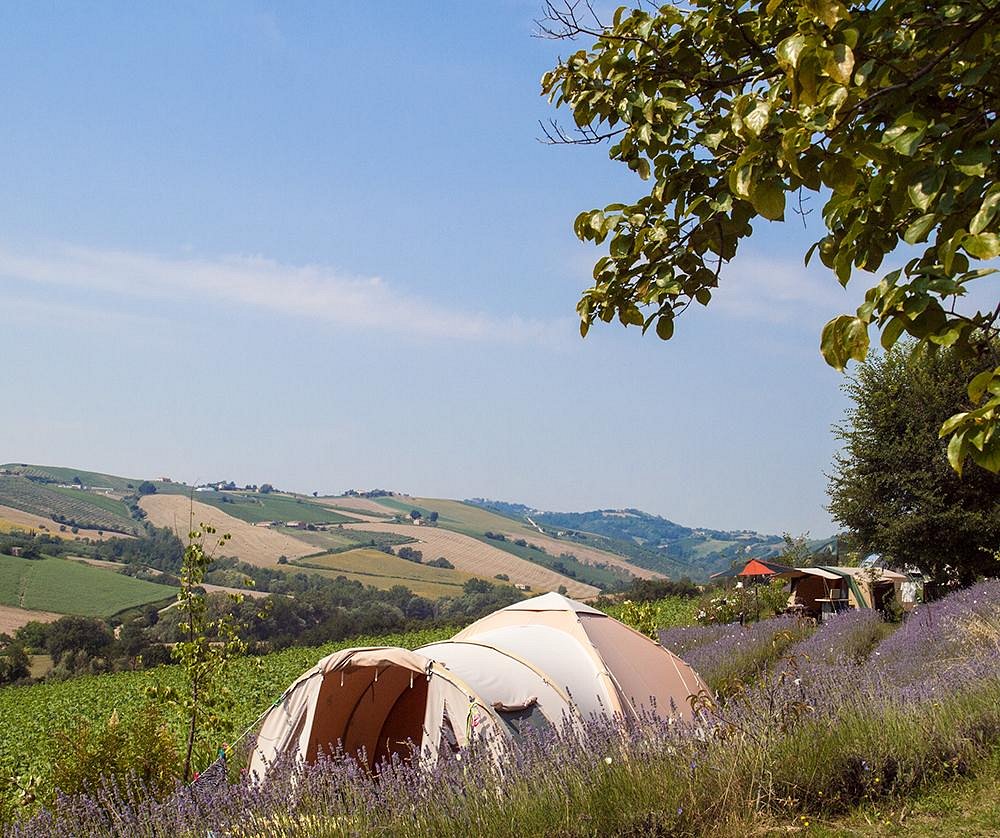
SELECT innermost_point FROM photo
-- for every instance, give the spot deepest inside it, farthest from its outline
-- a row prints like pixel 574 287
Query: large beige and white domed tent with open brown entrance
pixel 542 663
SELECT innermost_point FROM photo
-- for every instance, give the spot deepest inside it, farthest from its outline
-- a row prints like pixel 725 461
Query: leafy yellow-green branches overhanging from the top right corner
pixel 732 110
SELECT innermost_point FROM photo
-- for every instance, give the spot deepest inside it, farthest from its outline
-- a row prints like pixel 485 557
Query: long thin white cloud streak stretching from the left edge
pixel 315 292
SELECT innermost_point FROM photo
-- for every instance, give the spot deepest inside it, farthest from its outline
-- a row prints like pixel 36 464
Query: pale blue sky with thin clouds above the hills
pixel 321 245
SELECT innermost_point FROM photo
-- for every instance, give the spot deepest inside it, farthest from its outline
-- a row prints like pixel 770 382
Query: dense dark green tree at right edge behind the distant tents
pixel 892 488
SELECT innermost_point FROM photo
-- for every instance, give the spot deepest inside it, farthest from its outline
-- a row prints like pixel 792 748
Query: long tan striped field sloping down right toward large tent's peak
pixel 482 560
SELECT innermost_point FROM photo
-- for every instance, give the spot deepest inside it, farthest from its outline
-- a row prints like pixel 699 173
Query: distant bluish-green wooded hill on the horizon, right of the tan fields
pixel 647 540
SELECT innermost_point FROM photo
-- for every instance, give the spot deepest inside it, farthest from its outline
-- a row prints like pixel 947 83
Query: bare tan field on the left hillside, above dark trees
pixel 255 545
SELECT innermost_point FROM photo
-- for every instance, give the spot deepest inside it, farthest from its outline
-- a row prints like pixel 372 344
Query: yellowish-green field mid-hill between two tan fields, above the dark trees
pixel 373 567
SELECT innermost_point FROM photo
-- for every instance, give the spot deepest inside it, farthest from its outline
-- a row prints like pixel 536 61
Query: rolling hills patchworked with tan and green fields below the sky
pixel 361 536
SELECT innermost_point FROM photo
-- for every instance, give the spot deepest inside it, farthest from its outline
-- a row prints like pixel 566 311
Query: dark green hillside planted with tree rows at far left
pixel 86 509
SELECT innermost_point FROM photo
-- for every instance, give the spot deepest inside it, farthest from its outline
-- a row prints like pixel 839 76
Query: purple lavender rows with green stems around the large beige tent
pixel 807 722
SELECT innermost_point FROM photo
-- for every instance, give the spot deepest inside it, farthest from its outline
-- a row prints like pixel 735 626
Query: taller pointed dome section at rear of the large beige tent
pixel 604 666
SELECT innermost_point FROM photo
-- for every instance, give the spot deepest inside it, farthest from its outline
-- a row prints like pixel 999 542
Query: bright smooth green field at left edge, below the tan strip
pixel 69 587
